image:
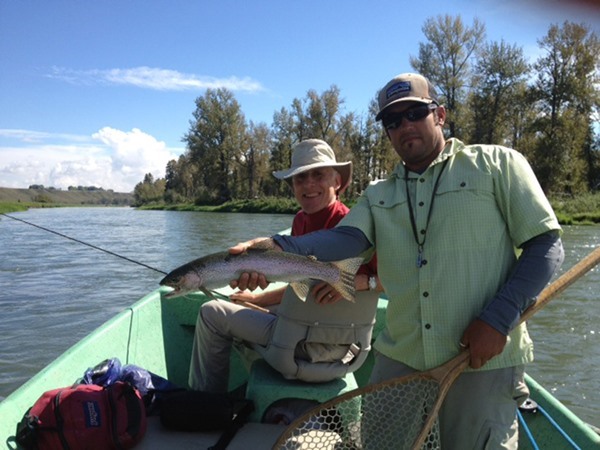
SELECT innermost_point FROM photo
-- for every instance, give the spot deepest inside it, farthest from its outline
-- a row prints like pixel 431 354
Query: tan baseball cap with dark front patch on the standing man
pixel 406 87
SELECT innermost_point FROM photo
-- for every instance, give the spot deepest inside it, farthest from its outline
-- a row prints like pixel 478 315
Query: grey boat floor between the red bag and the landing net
pixel 255 436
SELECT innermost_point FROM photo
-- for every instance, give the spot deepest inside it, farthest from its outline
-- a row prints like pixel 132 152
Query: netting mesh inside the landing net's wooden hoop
pixel 390 417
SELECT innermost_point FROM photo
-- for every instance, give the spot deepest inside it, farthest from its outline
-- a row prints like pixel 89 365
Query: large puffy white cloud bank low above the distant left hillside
pixel 109 158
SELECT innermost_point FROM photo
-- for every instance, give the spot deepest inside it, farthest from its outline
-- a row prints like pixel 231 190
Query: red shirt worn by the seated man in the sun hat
pixel 327 218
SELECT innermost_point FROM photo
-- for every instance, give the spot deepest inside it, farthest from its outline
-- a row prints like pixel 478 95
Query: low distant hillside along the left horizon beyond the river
pixel 60 197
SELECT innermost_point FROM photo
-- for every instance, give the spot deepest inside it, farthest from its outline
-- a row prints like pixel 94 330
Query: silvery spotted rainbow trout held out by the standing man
pixel 217 270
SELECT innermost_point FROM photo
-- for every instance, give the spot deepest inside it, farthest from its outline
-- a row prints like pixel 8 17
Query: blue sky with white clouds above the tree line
pixel 101 92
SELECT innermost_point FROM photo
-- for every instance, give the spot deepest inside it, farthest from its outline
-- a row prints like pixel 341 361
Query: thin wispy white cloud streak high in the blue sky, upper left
pixel 153 78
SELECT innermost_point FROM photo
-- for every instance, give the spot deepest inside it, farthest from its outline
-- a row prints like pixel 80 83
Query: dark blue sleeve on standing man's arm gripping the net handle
pixel 541 257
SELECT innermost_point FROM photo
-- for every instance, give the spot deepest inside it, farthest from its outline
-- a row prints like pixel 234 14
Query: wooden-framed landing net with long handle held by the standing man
pixel 315 430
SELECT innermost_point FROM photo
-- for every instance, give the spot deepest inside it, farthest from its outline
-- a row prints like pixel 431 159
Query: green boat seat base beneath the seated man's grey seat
pixel 266 385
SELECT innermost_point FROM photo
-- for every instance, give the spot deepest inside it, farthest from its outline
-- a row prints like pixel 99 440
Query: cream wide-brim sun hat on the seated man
pixel 312 154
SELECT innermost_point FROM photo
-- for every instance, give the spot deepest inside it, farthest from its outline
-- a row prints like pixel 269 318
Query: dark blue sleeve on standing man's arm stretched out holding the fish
pixel 333 244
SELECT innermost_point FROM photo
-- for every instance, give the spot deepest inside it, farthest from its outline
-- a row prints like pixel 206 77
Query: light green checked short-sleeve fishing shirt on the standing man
pixel 488 203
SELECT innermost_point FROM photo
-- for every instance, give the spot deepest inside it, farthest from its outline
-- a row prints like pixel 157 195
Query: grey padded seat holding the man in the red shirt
pixel 304 324
